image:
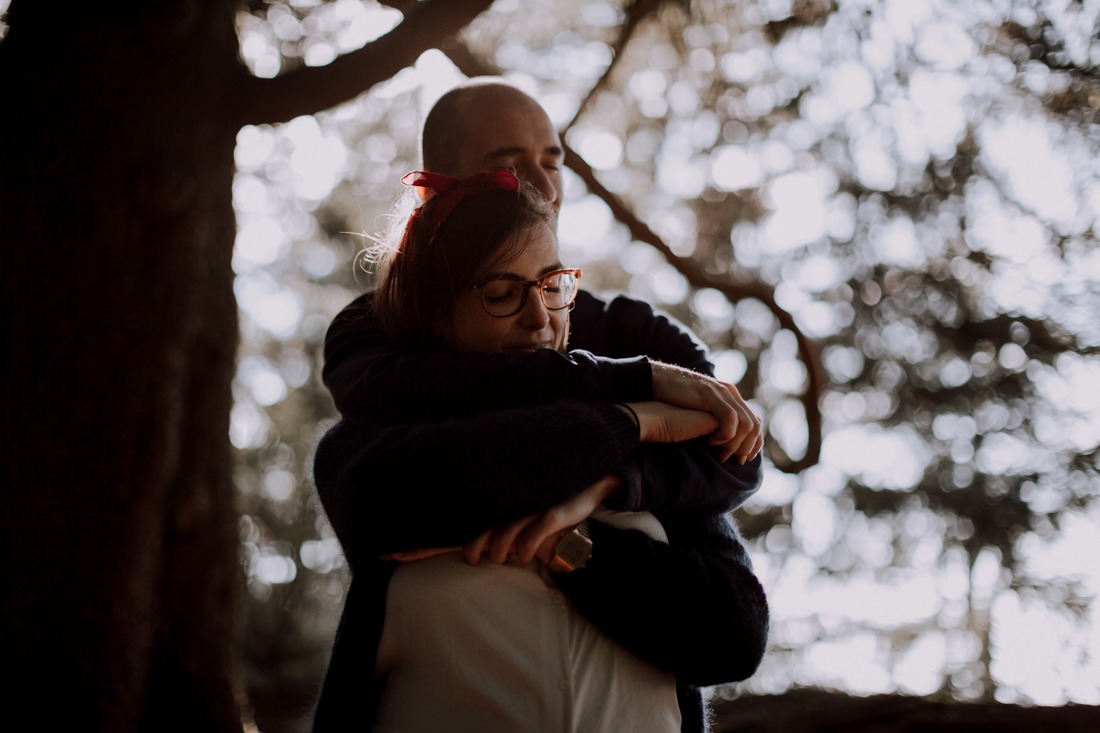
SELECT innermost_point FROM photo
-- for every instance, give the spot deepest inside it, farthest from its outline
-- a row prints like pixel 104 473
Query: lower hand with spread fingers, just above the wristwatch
pixel 537 535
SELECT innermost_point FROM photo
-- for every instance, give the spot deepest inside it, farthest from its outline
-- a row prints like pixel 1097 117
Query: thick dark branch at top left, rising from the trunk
pixel 305 91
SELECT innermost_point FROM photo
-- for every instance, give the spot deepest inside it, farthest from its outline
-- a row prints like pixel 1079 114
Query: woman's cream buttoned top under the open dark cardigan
pixel 498 649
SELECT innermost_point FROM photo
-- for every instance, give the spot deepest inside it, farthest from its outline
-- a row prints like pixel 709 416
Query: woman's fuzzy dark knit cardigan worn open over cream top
pixel 692 607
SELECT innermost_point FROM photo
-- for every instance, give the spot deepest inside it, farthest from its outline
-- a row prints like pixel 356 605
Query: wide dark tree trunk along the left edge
pixel 119 573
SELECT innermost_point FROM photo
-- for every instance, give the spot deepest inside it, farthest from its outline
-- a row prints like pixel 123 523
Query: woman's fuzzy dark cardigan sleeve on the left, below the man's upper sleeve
pixel 400 487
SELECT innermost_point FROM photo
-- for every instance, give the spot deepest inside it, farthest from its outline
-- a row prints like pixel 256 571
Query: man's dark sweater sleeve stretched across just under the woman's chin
pixel 368 376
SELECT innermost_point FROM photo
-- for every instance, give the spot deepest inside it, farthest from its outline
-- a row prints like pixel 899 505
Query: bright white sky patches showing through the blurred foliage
pixel 839 622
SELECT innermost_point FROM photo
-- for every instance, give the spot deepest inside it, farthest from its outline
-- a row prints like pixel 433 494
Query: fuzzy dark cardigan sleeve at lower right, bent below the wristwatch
pixel 692 607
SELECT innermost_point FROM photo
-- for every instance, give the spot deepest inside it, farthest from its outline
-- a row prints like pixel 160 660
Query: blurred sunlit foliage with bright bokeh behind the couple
pixel 918 182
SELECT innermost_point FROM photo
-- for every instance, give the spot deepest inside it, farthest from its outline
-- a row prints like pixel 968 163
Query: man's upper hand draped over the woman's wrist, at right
pixel 740 430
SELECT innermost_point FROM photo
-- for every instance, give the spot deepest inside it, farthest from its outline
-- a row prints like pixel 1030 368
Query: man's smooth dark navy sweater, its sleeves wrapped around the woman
pixel 372 379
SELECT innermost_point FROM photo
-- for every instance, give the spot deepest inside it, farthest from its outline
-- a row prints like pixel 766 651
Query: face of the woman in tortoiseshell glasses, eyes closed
pixel 471 329
